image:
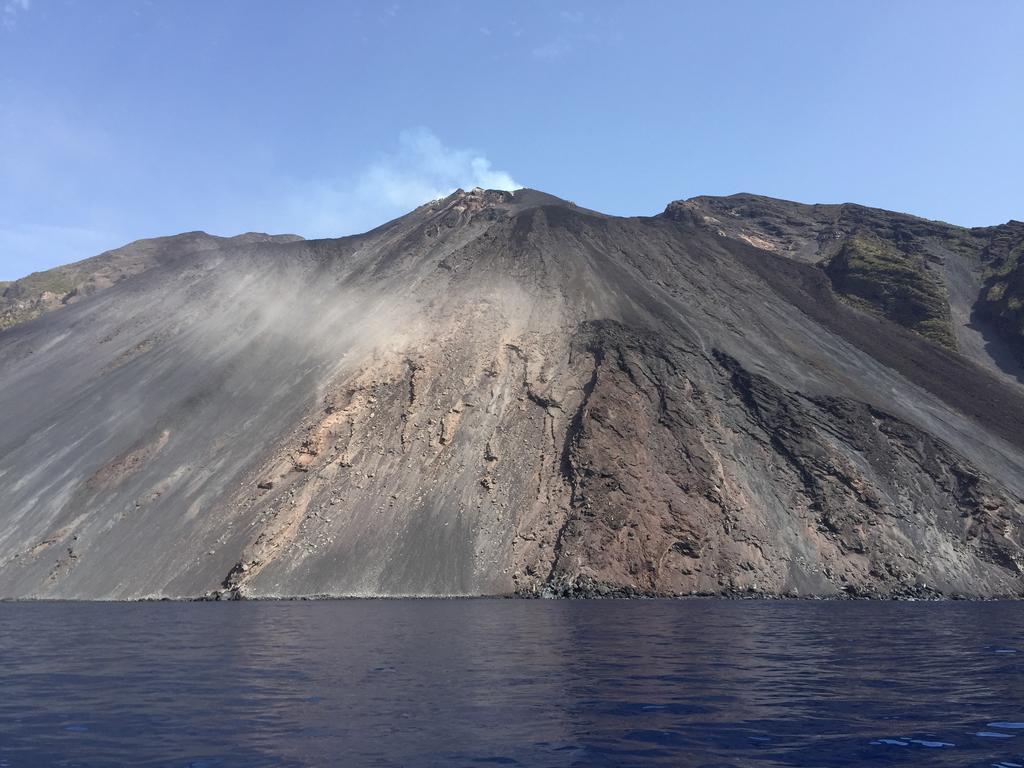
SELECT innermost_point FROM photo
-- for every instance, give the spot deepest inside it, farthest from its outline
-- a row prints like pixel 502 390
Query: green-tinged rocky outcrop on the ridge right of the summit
pixel 894 283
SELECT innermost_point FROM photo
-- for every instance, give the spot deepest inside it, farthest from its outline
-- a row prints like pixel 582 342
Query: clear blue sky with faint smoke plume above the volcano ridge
pixel 124 120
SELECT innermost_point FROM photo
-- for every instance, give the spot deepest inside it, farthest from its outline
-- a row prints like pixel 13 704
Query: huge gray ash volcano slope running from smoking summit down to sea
pixel 506 394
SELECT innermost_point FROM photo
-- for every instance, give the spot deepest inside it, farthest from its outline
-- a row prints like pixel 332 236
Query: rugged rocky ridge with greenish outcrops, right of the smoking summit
pixel 930 277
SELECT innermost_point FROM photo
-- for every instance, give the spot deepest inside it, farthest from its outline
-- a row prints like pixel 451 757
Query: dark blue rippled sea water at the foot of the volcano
pixel 492 684
